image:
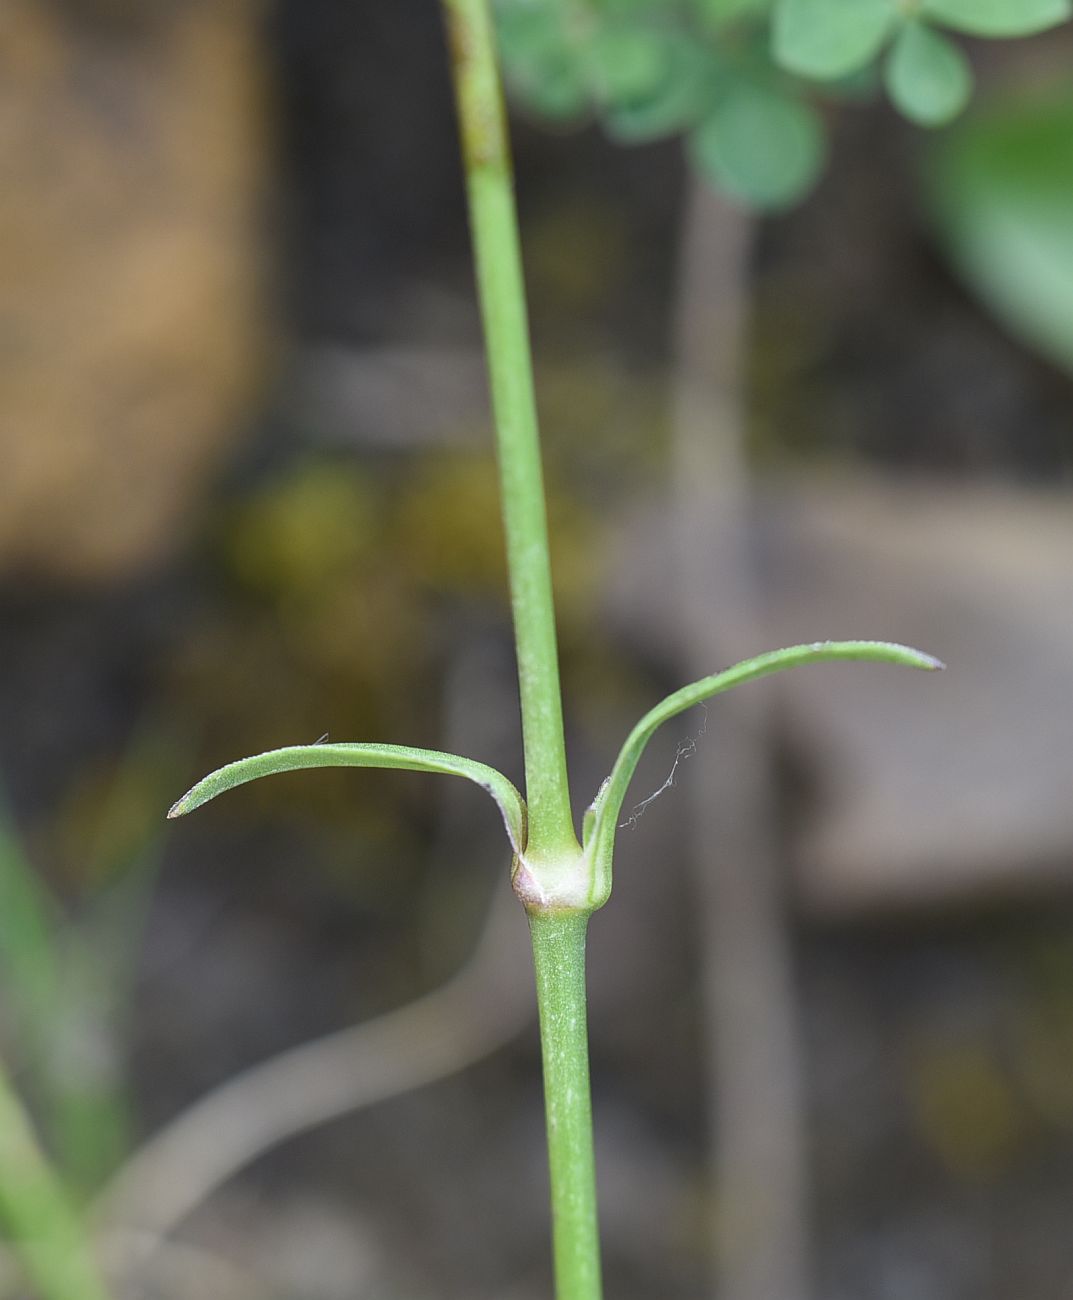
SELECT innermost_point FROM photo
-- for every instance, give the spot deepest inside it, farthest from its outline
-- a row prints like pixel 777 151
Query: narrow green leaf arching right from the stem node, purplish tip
pixel 607 809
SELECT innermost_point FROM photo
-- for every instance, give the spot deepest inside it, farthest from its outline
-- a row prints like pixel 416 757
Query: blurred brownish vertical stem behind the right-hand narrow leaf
pixel 755 1123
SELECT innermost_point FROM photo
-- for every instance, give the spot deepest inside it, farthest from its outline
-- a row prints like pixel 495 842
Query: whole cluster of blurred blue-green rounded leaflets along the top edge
pixel 741 80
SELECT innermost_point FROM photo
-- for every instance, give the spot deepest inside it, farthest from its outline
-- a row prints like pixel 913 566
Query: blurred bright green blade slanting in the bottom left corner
pixel 41 1224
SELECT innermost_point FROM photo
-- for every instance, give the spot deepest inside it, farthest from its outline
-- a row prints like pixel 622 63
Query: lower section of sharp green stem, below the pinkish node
pixel 560 961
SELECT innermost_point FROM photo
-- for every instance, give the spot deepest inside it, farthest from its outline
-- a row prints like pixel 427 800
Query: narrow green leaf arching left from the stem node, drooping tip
pixel 291 760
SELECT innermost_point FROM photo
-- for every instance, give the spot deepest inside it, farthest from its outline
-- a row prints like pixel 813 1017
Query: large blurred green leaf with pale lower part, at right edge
pixel 1002 192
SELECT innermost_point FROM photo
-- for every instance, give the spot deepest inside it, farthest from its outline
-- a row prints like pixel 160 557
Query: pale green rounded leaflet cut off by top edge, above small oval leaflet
pixel 832 38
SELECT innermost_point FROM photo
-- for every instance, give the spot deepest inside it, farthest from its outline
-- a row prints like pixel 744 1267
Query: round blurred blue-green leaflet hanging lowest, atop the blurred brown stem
pixel 760 146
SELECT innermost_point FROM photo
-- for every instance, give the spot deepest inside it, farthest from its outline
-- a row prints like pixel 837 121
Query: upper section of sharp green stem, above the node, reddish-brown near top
pixel 501 289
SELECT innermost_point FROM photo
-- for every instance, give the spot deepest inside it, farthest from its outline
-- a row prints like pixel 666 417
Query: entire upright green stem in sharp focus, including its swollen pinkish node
pixel 552 855
